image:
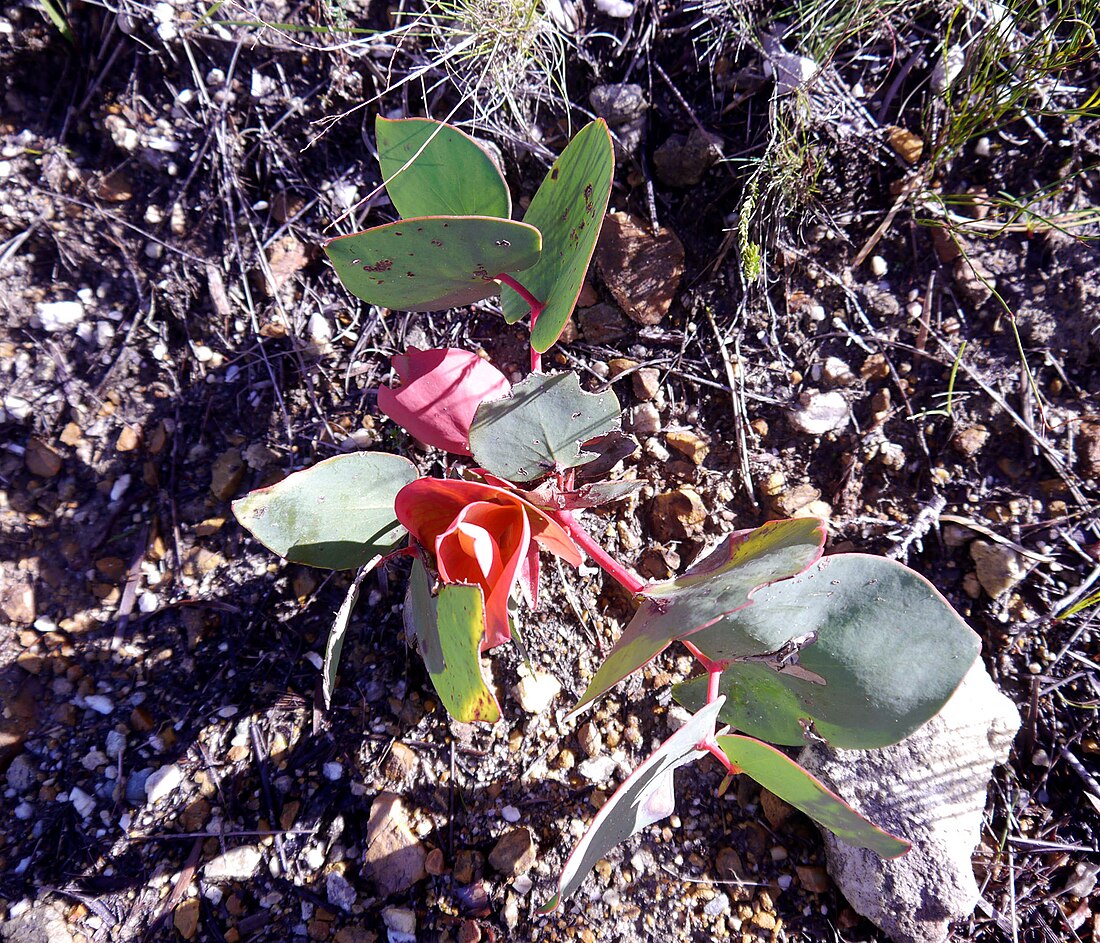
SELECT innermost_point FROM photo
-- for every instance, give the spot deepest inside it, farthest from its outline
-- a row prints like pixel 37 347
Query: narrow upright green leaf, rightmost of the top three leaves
pixel 568 211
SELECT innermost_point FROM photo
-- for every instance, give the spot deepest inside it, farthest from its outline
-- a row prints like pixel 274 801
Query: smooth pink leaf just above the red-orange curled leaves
pixel 442 389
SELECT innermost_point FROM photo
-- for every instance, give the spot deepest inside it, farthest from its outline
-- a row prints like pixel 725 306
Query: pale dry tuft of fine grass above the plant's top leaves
pixel 504 58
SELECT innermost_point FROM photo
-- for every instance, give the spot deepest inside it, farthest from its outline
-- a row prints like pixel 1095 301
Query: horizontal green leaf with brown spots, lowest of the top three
pixel 433 262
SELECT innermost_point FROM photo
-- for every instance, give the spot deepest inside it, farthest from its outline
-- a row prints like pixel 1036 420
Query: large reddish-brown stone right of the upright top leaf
pixel 643 271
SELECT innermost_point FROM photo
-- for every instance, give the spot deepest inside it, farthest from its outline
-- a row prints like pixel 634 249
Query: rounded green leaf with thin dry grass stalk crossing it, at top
pixel 450 174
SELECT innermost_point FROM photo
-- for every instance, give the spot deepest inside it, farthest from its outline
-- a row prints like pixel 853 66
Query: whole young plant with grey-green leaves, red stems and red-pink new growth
pixel 853 650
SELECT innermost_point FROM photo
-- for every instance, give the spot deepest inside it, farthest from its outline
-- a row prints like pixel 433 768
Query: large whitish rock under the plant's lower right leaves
pixel 931 791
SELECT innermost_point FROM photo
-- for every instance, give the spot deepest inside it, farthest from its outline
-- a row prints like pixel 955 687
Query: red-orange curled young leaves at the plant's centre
pixel 486 536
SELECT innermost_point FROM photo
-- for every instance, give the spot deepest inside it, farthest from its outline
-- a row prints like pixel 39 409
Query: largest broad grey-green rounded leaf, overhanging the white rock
pixel 877 653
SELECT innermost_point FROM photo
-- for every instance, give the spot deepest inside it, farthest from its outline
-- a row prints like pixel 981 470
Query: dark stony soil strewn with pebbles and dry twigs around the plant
pixel 173 339
